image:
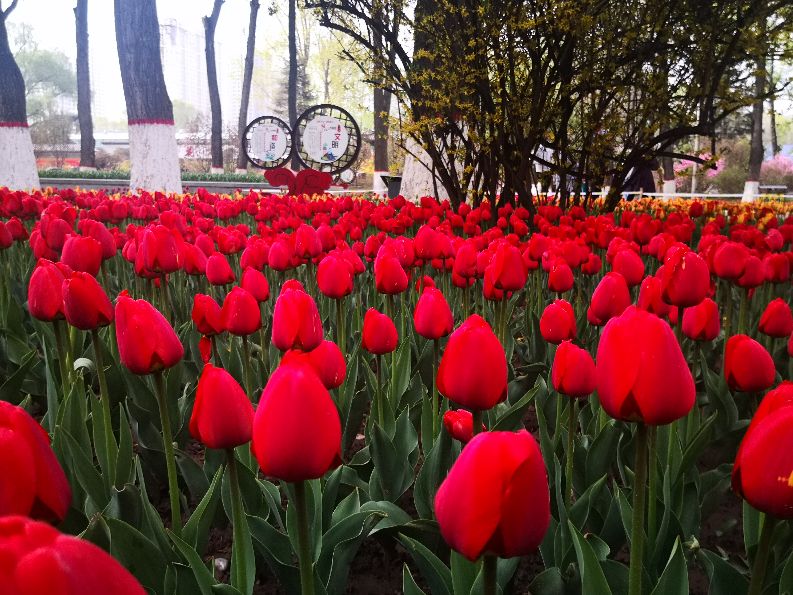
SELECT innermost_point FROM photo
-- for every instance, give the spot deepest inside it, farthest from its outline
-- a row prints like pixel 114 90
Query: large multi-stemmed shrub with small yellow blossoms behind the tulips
pixel 589 89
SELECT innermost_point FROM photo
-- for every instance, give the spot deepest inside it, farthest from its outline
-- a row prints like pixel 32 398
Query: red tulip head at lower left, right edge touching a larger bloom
pixel 222 414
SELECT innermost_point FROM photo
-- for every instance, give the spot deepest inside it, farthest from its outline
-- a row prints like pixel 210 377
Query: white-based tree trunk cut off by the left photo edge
pixel 17 161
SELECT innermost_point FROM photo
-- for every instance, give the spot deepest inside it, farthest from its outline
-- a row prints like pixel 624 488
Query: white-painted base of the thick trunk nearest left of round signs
pixel 154 158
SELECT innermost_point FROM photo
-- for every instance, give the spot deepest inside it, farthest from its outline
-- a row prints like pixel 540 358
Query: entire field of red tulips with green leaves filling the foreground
pixel 256 393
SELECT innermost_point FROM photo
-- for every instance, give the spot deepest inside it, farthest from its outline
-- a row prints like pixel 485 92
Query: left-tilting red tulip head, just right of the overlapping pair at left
pixel 146 341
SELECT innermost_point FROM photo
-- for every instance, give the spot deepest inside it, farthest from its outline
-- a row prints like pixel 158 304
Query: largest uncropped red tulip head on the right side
pixel 642 375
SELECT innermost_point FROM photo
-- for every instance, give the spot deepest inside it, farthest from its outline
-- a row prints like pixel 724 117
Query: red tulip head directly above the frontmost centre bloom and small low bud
pixel 473 369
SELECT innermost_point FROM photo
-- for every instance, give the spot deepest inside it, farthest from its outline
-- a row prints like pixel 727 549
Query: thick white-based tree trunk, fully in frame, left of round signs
pixel 154 156
